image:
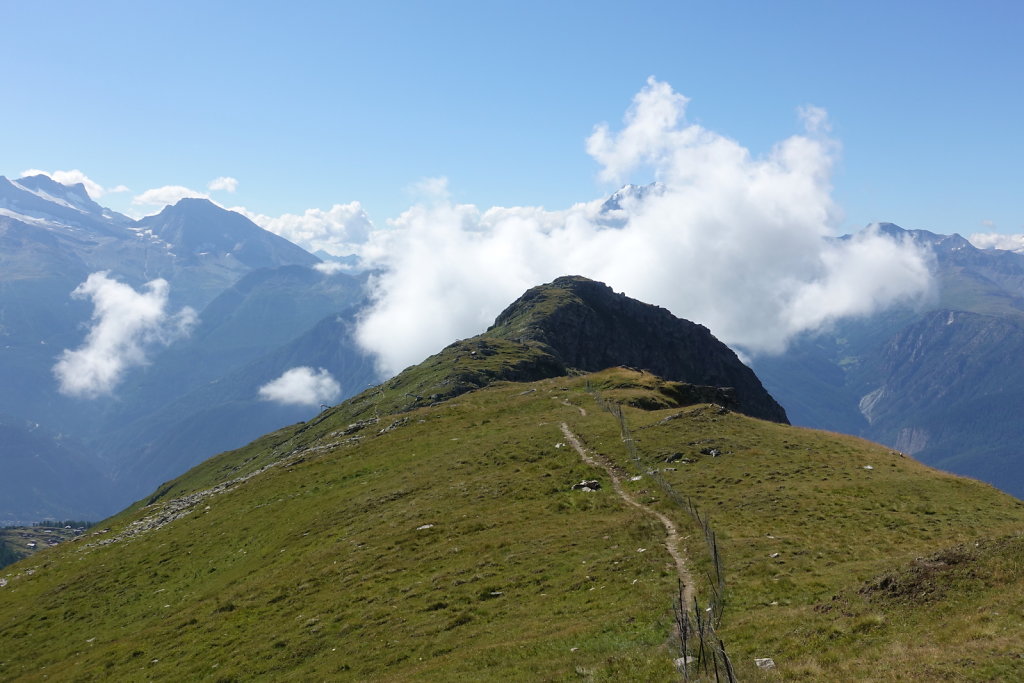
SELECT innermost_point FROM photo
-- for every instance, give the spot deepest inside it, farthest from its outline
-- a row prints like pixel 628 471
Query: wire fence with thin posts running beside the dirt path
pixel 702 651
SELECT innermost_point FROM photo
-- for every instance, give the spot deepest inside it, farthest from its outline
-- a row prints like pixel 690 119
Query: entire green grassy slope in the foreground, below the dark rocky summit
pixel 388 542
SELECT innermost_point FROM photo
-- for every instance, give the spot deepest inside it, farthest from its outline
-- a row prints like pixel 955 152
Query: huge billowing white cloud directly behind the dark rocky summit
pixel 742 244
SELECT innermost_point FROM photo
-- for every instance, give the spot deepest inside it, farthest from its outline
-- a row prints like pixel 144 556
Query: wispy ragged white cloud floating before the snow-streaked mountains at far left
pixel 126 325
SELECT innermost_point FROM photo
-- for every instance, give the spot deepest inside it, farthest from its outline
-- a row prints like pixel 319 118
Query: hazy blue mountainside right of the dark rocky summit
pixel 943 383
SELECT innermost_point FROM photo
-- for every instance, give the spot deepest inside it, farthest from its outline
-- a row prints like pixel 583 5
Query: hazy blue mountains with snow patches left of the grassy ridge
pixel 263 293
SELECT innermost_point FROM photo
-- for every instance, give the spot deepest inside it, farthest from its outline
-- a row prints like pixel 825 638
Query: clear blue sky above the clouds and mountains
pixel 313 104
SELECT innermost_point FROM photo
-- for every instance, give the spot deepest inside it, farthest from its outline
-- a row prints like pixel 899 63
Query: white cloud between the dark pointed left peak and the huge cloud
pixel 339 231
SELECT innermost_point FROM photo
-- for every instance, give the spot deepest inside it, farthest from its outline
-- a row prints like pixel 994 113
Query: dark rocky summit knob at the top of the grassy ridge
pixel 587 326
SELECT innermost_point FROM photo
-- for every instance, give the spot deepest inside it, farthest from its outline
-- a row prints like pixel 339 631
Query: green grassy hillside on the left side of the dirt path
pixel 321 570
